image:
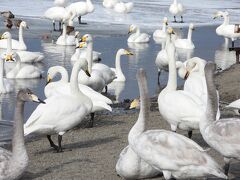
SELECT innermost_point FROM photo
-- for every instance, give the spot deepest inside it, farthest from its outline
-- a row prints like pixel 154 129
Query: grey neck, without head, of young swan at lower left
pixel 19 152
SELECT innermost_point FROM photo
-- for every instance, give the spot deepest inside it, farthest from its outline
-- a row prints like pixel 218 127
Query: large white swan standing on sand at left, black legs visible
pixel 61 112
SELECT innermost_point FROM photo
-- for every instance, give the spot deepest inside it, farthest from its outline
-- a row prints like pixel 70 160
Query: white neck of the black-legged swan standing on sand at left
pixel 74 78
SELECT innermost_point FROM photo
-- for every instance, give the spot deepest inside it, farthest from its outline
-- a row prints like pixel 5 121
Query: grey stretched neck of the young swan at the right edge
pixel 212 101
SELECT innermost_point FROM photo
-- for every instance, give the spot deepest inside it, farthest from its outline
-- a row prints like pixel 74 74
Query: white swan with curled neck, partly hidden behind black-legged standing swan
pixel 62 86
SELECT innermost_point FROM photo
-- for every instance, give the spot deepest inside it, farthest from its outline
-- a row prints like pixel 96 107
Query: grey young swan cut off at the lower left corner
pixel 13 164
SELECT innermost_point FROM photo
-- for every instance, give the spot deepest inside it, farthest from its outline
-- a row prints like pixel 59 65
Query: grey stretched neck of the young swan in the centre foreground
pixel 139 126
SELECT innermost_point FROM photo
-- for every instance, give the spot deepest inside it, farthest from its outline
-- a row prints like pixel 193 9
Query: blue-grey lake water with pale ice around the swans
pixel 208 45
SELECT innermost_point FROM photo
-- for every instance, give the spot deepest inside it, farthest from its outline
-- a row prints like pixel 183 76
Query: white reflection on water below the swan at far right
pixel 224 58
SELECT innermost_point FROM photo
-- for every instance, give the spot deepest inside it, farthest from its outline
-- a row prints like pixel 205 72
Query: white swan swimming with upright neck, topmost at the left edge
pixel 20 44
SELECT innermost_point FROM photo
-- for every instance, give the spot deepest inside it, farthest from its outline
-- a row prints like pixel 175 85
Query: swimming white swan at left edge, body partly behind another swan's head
pixel 25 56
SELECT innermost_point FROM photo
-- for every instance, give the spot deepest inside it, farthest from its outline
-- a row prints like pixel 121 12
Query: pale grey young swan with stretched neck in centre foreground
pixel 168 152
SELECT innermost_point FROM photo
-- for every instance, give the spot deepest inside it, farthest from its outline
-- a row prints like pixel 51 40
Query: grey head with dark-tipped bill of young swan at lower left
pixel 27 96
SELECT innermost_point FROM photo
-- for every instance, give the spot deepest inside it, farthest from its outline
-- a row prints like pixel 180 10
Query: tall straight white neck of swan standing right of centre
pixel 172 75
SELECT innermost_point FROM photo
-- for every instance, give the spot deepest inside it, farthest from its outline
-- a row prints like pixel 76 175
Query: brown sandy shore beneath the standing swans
pixel 93 153
